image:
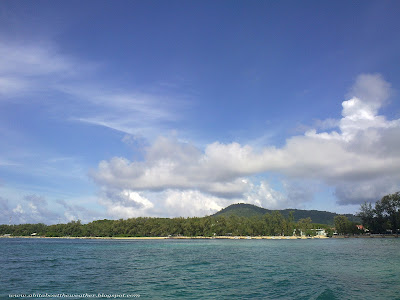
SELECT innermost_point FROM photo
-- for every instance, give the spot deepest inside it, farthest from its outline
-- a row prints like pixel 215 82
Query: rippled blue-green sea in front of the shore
pixel 202 269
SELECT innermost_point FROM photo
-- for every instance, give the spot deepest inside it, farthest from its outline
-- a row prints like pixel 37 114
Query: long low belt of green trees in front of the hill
pixel 270 224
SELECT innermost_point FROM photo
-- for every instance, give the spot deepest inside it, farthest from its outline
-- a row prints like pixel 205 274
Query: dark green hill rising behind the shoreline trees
pixel 249 210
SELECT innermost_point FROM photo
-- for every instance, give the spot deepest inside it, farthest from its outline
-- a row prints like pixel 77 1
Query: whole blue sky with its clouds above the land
pixel 121 109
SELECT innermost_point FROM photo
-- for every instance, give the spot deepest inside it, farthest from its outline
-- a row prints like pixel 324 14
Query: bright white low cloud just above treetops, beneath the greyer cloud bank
pixel 184 202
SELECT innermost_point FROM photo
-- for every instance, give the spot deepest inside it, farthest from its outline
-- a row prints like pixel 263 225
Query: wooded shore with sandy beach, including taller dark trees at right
pixel 382 220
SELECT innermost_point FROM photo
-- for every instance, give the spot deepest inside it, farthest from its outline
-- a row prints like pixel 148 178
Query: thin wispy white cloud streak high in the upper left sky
pixel 42 68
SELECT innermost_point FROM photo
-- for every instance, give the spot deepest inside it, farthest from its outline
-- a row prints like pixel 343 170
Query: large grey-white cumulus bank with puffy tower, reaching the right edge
pixel 352 159
